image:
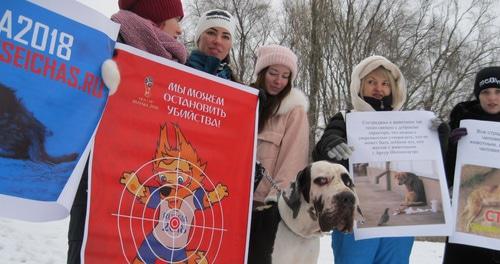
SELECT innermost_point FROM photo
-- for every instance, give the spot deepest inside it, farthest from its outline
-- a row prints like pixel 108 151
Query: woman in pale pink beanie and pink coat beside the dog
pixel 283 138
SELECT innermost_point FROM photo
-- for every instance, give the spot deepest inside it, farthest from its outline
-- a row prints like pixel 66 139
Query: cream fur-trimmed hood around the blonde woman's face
pixel 364 68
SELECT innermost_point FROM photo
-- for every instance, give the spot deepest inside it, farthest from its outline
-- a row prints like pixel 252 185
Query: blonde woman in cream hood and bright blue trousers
pixel 376 85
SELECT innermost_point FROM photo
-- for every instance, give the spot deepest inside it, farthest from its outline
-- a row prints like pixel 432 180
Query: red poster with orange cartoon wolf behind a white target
pixel 172 166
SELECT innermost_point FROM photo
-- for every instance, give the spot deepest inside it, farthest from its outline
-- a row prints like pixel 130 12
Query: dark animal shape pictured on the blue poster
pixel 22 136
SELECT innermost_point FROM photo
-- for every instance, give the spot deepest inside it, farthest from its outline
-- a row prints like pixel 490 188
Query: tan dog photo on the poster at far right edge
pixel 479 200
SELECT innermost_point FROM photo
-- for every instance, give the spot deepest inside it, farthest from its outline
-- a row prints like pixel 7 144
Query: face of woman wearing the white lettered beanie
pixel 215 42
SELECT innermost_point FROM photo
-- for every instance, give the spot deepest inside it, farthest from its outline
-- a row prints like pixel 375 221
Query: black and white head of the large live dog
pixel 327 192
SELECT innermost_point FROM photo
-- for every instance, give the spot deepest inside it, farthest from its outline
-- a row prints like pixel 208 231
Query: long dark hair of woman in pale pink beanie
pixel 270 105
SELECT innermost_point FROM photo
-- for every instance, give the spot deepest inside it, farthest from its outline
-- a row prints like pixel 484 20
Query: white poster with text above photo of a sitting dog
pixel 399 176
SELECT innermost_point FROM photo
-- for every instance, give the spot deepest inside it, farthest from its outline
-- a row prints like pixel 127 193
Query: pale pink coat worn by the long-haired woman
pixel 283 144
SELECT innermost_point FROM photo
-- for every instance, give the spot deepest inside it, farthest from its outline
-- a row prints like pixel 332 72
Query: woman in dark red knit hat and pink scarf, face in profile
pixel 149 25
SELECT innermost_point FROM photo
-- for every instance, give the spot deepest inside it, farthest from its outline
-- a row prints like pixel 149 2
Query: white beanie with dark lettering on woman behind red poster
pixel 215 18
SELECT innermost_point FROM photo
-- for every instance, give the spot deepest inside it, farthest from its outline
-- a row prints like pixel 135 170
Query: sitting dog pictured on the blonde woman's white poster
pixel 415 191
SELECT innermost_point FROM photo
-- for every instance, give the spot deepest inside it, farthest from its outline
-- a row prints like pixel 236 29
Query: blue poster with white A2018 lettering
pixel 51 99
